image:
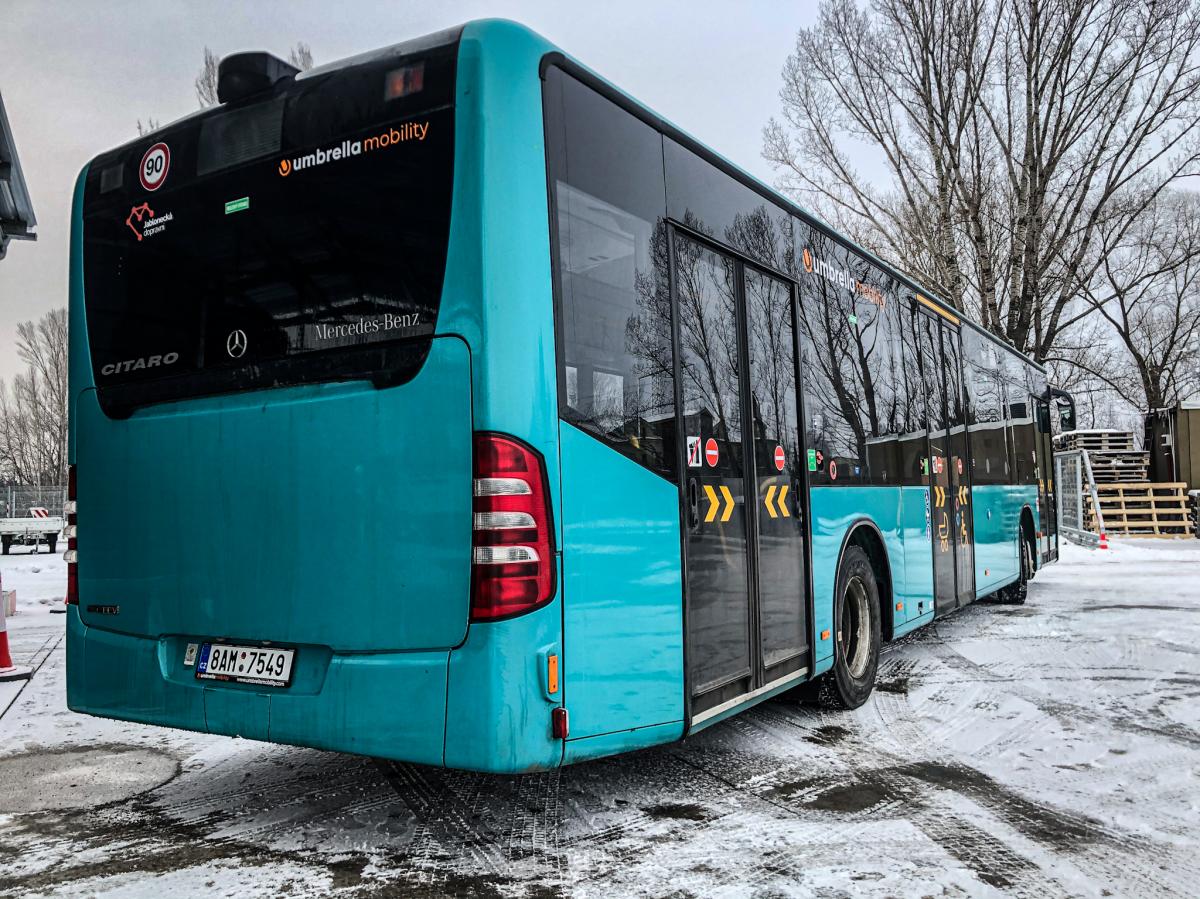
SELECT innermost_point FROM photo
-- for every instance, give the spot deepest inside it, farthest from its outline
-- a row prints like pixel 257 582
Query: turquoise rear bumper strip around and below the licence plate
pixel 386 705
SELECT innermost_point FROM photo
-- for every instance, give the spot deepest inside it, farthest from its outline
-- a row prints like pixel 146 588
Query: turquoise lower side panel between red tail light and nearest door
pixel 623 602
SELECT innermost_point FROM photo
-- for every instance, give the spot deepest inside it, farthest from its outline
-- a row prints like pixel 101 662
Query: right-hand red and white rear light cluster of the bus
pixel 513 552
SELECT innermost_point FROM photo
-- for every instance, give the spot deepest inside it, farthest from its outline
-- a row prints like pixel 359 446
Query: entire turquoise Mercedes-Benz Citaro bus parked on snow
pixel 449 406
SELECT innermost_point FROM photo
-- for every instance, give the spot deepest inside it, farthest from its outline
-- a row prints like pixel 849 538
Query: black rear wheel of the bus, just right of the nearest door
pixel 859 636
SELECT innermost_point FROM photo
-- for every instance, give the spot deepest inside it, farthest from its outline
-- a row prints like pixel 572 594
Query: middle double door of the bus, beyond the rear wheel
pixel 949 462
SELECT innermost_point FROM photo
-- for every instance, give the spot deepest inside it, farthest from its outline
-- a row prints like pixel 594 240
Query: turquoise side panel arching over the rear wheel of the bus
pixel 835 511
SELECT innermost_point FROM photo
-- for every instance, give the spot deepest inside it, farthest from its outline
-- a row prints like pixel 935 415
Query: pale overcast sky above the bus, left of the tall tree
pixel 77 76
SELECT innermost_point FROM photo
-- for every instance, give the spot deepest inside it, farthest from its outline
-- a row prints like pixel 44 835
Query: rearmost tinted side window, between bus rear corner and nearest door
pixel 616 367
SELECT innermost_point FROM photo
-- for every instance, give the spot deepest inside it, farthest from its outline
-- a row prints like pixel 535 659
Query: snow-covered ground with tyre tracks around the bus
pixel 1049 750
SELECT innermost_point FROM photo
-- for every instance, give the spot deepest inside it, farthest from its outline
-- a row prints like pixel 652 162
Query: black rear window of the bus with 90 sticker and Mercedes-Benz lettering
pixel 299 238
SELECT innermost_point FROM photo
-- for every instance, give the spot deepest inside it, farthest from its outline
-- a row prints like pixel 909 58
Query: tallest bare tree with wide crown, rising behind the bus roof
pixel 1012 134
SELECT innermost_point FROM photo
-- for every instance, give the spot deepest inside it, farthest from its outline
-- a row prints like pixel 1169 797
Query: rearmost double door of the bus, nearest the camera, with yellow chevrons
pixel 745 489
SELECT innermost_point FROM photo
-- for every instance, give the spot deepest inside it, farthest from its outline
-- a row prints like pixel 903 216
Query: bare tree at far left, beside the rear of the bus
pixel 34 407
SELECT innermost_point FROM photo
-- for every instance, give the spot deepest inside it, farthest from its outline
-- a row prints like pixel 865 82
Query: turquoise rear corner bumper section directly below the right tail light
pixel 499 704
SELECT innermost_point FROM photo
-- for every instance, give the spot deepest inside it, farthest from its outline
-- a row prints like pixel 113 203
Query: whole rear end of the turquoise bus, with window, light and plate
pixel 313 501
